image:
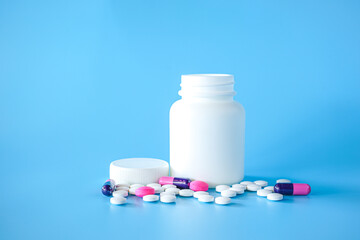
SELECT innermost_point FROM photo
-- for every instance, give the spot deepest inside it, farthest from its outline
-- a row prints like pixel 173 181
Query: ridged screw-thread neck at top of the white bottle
pixel 215 87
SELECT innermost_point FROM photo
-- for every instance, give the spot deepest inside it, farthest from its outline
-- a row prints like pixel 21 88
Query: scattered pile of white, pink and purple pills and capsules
pixel 169 188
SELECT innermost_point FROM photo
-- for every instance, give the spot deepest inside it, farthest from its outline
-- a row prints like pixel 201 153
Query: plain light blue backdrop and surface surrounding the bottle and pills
pixel 83 83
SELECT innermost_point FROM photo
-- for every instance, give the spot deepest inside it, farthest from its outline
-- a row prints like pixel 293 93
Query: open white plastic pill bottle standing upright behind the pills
pixel 207 130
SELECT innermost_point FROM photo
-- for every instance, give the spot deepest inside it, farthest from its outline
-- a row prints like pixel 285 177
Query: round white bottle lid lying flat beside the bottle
pixel 138 170
